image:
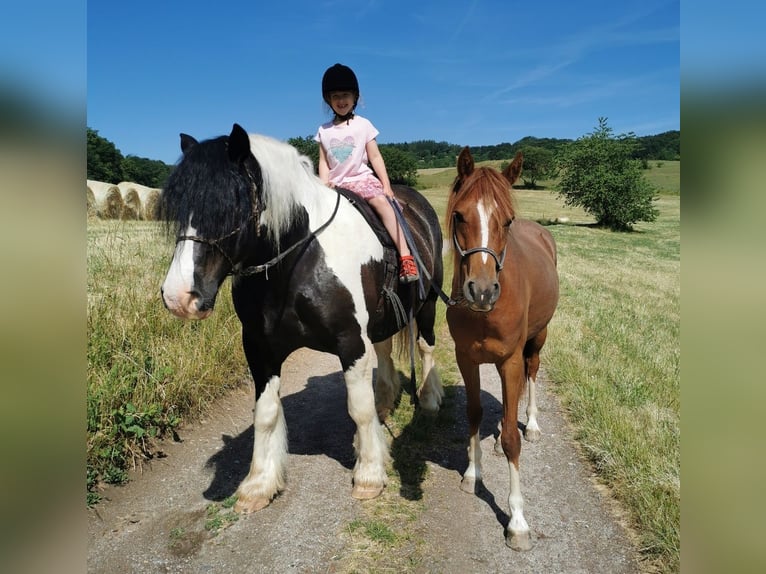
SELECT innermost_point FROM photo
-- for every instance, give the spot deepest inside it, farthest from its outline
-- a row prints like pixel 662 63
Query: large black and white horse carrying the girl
pixel 307 271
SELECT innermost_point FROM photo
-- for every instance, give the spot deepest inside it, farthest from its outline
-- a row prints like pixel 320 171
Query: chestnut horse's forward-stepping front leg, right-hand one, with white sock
pixel 512 378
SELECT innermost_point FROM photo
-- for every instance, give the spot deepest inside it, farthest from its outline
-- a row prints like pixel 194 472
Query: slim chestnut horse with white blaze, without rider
pixel 507 288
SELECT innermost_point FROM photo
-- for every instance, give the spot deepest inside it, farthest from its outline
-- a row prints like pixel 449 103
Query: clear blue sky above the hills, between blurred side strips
pixel 465 72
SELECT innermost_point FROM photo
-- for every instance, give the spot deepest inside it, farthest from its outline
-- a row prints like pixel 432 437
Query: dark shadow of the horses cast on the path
pixel 318 423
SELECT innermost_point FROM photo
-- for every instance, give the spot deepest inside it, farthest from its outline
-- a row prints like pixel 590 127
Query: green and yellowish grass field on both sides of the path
pixel 612 355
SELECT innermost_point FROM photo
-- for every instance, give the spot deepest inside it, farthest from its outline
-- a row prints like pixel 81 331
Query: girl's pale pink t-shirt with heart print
pixel 345 146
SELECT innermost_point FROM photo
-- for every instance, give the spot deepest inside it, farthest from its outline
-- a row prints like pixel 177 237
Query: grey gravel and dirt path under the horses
pixel 157 522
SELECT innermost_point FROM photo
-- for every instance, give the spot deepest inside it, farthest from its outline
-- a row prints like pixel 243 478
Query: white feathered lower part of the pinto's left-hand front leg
pixel 267 470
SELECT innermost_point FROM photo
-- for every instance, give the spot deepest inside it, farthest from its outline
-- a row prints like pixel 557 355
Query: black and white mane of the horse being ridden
pixel 204 182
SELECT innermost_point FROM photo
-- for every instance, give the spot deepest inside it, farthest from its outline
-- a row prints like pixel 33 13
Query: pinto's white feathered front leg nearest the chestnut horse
pixel 369 442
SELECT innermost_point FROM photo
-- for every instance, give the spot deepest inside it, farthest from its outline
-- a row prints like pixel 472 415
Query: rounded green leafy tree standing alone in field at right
pixel 598 174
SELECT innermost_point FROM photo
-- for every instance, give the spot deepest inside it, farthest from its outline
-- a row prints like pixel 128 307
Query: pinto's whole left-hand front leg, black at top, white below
pixel 267 469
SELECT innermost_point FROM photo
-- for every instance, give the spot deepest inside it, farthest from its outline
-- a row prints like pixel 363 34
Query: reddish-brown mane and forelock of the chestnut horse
pixel 485 185
